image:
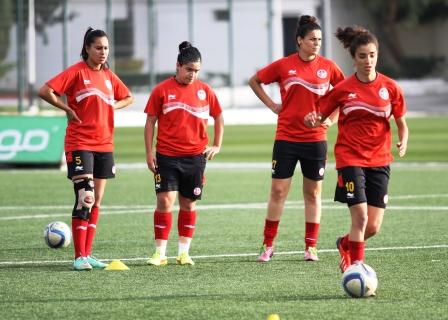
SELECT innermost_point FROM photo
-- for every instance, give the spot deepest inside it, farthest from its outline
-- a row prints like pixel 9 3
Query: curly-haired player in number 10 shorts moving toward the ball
pixel 366 101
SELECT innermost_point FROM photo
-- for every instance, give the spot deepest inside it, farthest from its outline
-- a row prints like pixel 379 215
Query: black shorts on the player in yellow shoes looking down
pixel 183 174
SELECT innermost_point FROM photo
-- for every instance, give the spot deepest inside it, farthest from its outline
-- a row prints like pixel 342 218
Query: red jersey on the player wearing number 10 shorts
pixel 364 134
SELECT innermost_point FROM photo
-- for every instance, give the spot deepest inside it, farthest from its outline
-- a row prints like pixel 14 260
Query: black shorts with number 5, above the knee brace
pixel 100 164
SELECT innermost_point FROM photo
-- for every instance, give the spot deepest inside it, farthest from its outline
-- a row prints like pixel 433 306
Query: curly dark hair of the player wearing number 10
pixel 354 37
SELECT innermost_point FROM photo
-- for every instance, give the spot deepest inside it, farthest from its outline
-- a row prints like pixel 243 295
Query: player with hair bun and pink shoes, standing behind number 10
pixel 302 77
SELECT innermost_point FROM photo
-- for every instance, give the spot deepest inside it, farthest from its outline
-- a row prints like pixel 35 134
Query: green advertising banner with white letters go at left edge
pixel 32 139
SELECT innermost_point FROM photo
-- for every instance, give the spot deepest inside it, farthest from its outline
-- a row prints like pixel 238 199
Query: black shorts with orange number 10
pixel 357 185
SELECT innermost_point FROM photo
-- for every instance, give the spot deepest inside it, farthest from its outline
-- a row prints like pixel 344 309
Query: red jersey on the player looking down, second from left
pixel 182 114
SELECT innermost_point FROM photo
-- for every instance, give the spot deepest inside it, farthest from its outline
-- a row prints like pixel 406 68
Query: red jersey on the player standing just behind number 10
pixel 301 84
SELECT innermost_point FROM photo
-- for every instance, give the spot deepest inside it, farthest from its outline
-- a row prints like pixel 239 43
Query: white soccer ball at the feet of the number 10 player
pixel 359 280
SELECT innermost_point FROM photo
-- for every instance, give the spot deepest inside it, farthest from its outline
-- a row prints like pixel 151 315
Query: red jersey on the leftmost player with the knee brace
pixel 92 94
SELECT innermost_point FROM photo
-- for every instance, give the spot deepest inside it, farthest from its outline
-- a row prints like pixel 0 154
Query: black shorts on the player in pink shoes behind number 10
pixel 312 157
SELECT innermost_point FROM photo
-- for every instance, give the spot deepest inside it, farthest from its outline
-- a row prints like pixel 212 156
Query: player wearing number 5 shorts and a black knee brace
pixel 93 93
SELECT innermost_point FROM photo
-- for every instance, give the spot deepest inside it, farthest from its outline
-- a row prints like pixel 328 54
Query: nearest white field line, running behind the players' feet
pixel 230 255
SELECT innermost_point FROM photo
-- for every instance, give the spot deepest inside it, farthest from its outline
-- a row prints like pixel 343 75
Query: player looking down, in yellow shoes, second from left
pixel 181 106
